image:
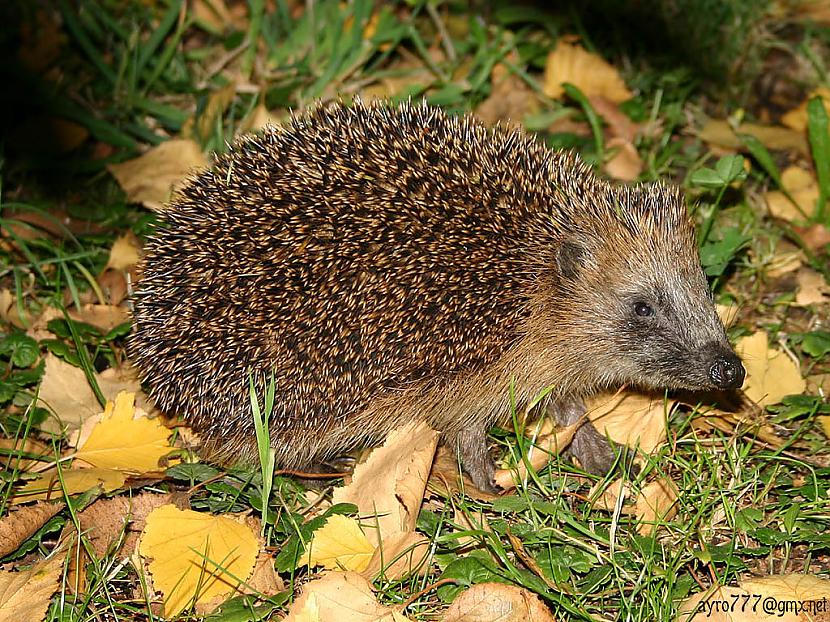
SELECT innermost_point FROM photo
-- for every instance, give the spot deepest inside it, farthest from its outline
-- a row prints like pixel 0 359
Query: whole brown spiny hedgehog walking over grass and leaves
pixel 391 263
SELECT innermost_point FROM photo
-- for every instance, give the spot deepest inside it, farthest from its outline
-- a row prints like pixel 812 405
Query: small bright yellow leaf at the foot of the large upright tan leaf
pixel 339 545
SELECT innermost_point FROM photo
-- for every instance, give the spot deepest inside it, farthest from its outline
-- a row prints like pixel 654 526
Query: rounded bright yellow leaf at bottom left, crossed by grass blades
pixel 196 557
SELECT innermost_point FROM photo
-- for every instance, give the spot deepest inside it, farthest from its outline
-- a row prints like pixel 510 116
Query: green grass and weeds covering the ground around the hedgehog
pixel 133 74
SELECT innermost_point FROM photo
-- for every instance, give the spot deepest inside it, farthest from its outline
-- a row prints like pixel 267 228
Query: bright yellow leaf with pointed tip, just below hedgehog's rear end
pixel 121 441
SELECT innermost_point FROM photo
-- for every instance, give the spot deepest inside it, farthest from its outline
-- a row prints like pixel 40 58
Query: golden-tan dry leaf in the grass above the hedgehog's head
pixel 588 72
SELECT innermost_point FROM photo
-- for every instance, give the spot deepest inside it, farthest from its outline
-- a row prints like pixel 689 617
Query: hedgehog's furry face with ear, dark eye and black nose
pixel 651 320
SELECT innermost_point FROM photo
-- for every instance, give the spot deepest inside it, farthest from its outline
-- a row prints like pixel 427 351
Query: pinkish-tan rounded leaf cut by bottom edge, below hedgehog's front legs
pixel 496 602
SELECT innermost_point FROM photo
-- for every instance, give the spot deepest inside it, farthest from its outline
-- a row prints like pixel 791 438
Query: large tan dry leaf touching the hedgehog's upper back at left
pixel 152 178
